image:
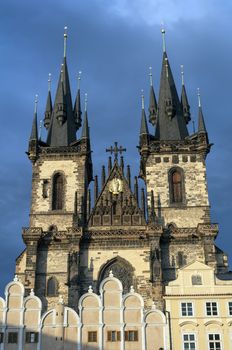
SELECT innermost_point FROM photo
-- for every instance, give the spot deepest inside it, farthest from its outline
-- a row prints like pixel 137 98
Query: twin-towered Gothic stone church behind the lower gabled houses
pixel 139 237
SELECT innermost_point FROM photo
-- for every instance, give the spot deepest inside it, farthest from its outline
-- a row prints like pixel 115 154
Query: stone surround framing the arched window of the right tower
pixel 170 184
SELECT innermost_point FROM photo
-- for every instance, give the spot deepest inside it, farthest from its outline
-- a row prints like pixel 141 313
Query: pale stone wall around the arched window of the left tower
pixel 73 170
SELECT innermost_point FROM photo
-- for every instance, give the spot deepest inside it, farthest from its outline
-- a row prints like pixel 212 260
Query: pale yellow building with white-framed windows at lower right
pixel 199 306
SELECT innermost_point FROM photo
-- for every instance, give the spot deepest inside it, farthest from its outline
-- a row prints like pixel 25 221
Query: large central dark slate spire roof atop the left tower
pixel 62 134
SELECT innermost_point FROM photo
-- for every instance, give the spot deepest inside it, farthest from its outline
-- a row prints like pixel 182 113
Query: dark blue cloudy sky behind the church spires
pixel 113 43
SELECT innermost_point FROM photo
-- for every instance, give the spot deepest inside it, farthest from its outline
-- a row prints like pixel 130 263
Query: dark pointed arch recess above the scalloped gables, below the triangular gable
pixel 121 269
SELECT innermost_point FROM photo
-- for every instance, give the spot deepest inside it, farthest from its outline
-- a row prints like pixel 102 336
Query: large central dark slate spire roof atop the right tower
pixel 174 127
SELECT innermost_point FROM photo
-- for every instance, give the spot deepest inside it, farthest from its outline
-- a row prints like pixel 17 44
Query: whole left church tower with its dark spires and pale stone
pixel 61 173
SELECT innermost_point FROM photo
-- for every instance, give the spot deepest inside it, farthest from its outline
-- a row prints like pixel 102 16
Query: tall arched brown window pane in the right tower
pixel 176 186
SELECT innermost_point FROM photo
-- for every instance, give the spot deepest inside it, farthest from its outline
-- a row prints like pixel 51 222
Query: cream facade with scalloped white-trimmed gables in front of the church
pixel 107 321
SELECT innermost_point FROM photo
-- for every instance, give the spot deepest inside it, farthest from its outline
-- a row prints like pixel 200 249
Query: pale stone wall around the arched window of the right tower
pixel 195 208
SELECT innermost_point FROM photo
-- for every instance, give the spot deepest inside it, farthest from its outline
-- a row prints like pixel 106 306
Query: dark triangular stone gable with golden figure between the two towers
pixel 116 204
